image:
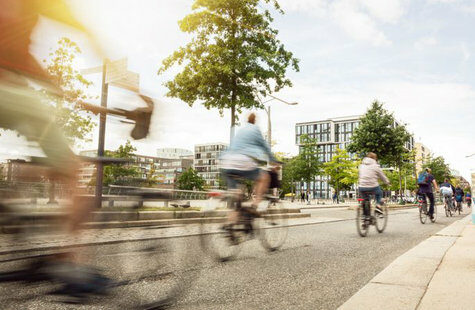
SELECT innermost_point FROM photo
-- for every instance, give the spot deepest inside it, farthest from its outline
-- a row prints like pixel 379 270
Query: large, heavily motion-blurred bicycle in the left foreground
pixel 126 270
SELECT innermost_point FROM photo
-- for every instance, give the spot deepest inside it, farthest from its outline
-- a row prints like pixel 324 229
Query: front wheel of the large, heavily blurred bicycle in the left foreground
pixel 146 274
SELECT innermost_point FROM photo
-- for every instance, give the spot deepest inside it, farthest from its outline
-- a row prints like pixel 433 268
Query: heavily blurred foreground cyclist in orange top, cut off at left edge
pixel 22 109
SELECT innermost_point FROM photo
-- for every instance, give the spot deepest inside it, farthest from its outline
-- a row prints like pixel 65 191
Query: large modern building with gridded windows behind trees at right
pixel 330 134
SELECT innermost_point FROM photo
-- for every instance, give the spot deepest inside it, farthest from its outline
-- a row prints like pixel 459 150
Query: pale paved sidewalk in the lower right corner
pixel 439 273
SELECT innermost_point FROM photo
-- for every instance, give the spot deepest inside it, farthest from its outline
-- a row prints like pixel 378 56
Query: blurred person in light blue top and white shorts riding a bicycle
pixel 248 148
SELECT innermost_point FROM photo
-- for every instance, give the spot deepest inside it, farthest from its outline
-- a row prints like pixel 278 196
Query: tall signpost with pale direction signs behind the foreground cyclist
pixel 116 74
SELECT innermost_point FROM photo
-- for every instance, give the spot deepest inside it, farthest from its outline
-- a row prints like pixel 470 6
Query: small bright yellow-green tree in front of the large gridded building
pixel 342 170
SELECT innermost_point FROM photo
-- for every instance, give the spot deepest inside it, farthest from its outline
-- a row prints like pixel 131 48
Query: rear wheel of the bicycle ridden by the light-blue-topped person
pixel 220 243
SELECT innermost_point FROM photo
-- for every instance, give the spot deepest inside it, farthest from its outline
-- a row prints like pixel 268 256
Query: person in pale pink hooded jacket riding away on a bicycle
pixel 370 173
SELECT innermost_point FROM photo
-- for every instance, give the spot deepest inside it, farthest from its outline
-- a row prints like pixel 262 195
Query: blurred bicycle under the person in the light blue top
pixel 268 224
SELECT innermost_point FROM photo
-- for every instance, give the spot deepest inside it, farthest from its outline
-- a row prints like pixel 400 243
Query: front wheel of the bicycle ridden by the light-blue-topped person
pixel 272 226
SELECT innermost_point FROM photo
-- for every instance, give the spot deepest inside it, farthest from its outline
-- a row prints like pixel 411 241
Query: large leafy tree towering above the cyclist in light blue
pixel 233 58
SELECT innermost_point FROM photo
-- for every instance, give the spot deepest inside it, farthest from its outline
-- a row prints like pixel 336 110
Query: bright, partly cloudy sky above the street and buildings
pixel 414 56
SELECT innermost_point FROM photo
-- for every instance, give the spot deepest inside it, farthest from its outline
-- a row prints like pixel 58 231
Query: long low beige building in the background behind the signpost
pixel 165 171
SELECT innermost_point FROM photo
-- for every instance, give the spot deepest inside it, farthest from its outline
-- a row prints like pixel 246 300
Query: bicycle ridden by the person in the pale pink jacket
pixel 366 216
